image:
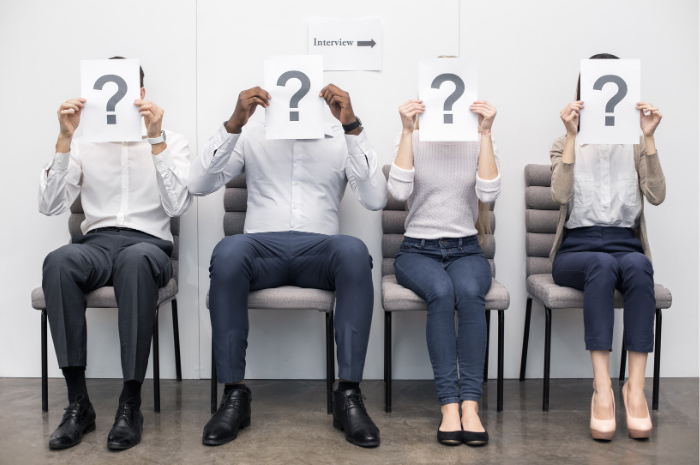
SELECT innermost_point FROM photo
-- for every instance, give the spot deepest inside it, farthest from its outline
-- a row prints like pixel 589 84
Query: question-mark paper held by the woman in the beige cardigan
pixel 610 90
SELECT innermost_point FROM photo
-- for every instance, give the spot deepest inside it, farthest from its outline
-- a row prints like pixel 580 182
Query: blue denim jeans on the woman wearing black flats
pixel 449 273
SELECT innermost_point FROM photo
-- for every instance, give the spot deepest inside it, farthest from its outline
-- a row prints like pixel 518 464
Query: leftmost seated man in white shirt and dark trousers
pixel 128 191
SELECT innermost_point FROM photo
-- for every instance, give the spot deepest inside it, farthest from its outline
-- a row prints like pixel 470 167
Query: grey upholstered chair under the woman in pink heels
pixel 541 217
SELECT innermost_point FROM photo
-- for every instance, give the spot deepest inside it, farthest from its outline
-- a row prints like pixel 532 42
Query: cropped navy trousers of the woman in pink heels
pixel 597 260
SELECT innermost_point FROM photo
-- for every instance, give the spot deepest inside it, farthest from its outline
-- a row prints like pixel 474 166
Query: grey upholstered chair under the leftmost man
pixel 104 298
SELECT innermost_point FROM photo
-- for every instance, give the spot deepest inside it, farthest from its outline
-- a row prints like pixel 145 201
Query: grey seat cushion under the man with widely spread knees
pixel 290 298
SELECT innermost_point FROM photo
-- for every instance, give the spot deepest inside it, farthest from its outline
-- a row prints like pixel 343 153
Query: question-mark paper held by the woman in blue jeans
pixel 447 87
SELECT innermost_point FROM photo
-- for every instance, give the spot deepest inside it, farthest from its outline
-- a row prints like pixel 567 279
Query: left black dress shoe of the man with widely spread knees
pixel 233 415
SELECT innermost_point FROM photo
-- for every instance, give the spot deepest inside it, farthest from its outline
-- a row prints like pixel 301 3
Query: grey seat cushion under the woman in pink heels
pixel 542 288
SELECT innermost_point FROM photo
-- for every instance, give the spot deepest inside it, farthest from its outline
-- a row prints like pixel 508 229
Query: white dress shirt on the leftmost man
pixel 122 184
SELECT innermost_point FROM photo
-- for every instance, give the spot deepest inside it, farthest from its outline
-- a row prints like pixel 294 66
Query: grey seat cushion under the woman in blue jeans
pixel 396 298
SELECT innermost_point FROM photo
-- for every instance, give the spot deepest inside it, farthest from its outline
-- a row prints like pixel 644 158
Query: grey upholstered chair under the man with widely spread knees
pixel 278 298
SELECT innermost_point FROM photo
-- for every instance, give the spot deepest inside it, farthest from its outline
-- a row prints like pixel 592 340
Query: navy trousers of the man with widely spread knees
pixel 249 262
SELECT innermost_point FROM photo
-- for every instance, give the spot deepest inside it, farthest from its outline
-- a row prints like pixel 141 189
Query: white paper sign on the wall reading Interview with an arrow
pixel 347 44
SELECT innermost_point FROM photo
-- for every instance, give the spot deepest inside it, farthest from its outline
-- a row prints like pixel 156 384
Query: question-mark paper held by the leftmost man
pixel 110 88
